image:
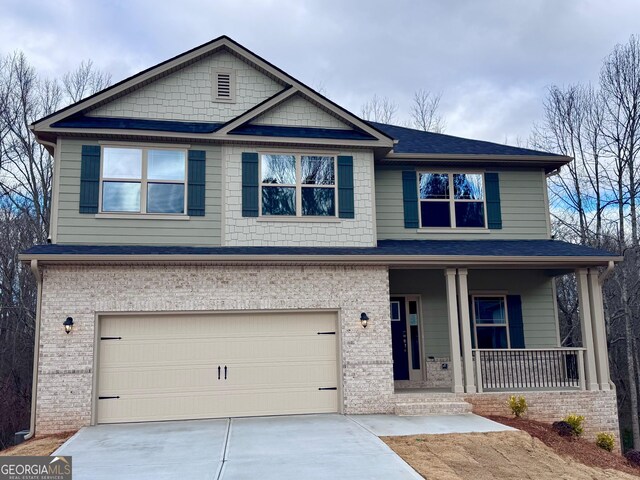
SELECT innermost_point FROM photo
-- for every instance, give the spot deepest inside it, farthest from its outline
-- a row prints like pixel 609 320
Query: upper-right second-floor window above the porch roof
pixel 451 200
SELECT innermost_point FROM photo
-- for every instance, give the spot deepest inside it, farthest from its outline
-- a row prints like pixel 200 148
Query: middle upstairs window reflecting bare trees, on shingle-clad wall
pixel 298 185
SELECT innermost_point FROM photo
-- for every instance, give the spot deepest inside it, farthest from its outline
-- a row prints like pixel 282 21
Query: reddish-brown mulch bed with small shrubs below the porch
pixel 582 450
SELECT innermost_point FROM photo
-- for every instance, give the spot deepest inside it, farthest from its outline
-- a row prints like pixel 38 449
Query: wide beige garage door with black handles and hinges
pixel 164 367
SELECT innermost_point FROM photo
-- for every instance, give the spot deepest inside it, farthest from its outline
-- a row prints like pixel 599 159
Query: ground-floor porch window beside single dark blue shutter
pixel 490 322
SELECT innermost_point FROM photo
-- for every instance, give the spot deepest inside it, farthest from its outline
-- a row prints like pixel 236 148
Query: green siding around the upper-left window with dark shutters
pixel 77 228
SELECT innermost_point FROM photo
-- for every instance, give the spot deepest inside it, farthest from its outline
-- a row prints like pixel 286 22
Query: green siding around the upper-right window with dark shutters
pixel 522 201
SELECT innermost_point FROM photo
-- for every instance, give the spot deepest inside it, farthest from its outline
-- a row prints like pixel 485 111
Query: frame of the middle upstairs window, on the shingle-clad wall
pixel 299 185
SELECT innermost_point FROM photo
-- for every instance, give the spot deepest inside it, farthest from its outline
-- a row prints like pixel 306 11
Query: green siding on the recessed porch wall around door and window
pixel 534 287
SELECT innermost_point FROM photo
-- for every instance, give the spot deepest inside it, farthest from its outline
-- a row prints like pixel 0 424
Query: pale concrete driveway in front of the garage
pixel 287 447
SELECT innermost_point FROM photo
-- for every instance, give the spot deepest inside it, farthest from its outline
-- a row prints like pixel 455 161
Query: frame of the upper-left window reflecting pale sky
pixel 143 181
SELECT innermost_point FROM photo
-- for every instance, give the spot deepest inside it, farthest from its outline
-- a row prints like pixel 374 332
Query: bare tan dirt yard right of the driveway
pixel 497 455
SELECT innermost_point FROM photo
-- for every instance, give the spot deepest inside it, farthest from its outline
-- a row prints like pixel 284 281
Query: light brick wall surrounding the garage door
pixel 66 361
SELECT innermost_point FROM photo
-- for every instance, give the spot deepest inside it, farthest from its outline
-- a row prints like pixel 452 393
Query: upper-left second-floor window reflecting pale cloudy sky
pixel 136 180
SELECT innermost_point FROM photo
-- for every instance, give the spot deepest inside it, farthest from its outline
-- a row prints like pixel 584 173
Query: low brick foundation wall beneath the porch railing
pixel 599 408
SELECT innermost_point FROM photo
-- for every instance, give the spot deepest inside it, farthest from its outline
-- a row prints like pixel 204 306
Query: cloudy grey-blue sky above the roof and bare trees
pixel 492 60
